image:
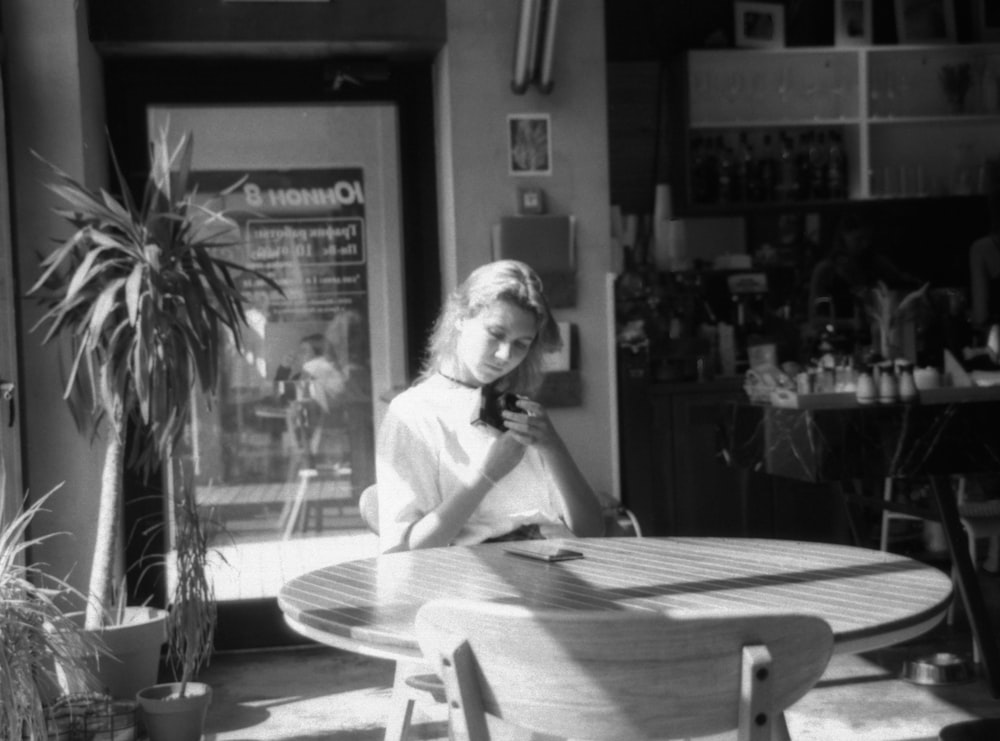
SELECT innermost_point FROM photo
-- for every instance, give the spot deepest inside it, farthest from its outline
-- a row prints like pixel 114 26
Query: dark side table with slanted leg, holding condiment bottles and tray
pixel 853 443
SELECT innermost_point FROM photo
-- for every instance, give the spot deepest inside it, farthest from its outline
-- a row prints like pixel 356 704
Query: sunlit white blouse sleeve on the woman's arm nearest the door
pixel 408 486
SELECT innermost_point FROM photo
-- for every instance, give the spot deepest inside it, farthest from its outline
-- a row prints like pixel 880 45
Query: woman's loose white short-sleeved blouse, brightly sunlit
pixel 430 446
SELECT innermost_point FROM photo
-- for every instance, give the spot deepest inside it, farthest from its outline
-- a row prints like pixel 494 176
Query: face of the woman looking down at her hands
pixel 493 342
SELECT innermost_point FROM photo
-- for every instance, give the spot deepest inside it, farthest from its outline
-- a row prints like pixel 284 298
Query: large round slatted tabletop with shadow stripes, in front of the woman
pixel 870 598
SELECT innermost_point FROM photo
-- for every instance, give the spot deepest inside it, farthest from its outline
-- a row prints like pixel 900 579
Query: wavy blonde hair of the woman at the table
pixel 503 280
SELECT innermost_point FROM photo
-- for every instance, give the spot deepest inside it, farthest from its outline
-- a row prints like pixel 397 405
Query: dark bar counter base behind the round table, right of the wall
pixel 676 483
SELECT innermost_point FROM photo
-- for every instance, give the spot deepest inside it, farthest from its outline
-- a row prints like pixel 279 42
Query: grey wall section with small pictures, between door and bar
pixel 474 99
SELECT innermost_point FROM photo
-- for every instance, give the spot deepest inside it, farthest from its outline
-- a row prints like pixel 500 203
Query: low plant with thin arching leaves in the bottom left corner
pixel 35 634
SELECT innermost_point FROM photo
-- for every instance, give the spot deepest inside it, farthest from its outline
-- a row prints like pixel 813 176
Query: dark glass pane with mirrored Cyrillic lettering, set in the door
pixel 297 396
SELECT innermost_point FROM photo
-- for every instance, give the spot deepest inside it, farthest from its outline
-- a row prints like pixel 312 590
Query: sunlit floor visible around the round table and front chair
pixel 315 692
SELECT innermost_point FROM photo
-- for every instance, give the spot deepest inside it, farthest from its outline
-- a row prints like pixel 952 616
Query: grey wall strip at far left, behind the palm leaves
pixel 55 107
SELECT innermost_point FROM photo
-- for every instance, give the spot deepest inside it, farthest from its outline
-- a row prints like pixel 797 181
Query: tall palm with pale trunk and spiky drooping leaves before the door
pixel 147 302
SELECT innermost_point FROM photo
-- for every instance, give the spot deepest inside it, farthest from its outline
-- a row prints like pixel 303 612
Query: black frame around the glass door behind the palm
pixel 132 84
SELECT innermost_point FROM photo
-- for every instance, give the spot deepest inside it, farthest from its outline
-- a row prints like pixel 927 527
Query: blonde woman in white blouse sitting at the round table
pixel 445 477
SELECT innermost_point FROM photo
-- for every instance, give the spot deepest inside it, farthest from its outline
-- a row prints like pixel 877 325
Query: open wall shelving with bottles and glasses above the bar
pixel 902 128
